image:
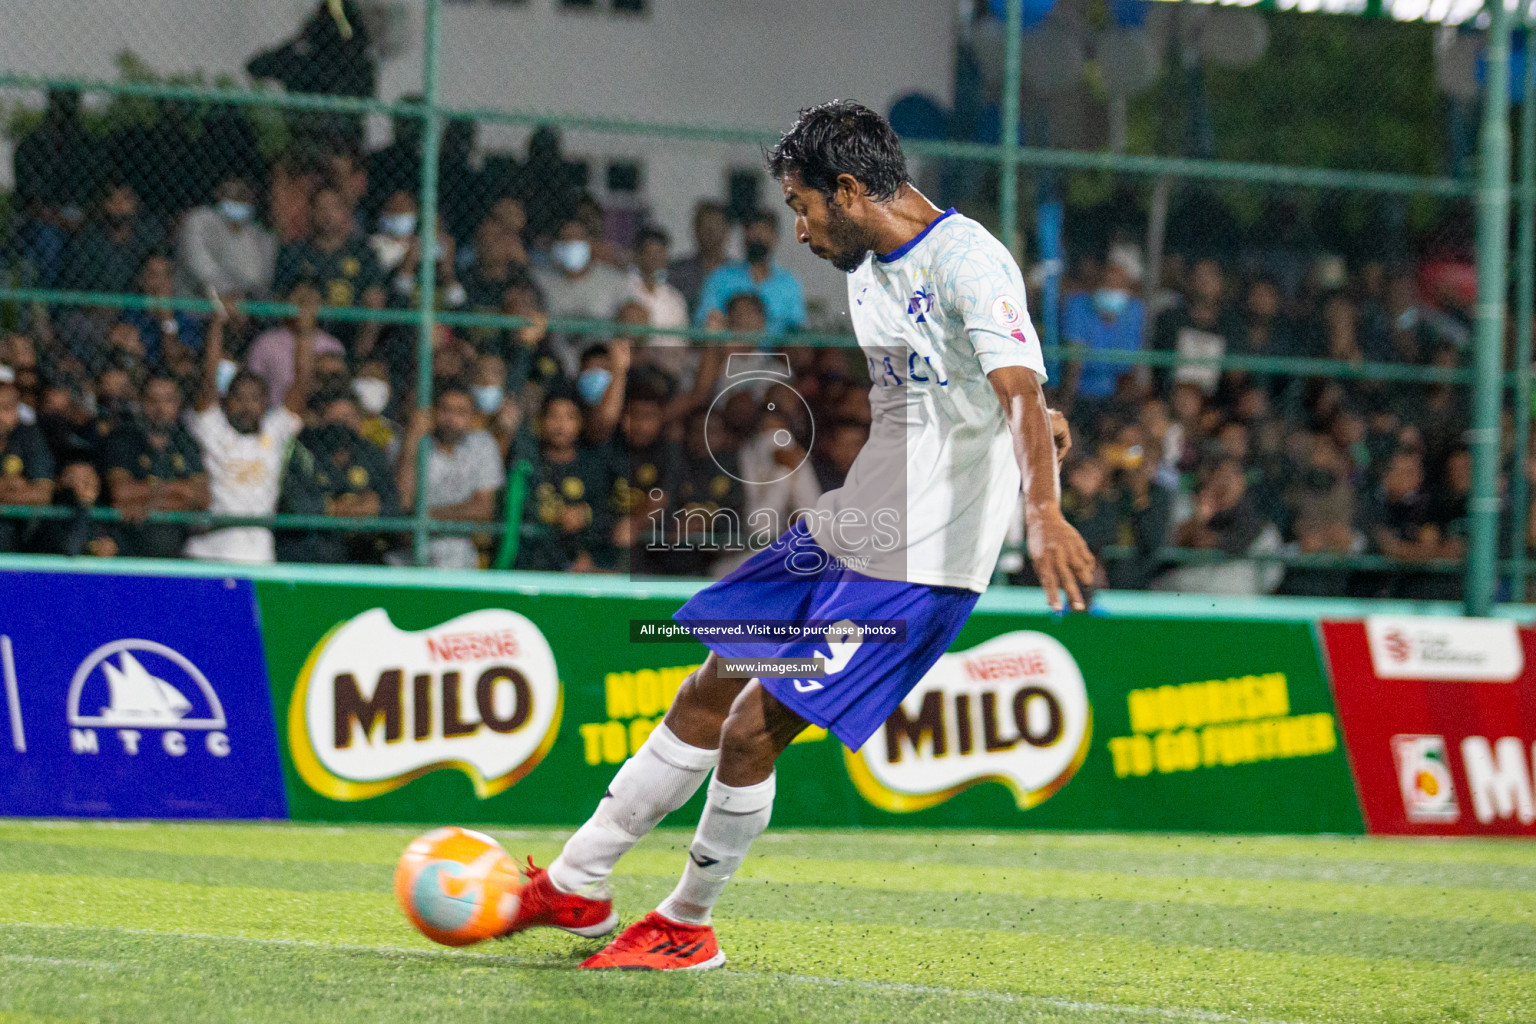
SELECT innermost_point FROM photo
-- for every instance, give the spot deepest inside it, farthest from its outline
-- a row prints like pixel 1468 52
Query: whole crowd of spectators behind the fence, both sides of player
pixel 597 452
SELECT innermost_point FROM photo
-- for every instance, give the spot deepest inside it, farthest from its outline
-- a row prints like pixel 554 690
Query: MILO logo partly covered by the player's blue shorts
pixel 1011 712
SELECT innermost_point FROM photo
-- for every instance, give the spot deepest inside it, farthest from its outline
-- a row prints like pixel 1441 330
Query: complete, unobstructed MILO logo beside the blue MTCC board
pixel 377 707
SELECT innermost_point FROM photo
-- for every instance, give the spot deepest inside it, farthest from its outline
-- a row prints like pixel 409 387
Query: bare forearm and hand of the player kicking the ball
pixel 1059 553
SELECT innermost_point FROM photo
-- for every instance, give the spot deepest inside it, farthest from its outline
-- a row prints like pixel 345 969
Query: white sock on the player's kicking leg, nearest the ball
pixel 654 784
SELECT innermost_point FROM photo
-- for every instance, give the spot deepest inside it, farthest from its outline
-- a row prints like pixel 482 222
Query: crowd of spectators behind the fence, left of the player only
pixel 574 443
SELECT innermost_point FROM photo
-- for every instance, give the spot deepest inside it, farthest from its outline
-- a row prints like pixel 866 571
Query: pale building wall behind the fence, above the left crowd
pixel 737 64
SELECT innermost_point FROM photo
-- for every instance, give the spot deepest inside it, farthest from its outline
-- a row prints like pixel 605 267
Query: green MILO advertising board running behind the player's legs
pixel 402 704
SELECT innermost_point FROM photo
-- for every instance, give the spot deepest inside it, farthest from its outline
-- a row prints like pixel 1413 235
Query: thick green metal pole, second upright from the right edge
pixel 1494 249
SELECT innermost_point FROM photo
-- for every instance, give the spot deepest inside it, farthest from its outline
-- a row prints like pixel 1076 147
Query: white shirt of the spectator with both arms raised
pixel 243 474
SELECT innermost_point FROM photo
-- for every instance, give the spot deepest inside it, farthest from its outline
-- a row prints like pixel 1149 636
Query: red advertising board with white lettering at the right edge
pixel 1440 722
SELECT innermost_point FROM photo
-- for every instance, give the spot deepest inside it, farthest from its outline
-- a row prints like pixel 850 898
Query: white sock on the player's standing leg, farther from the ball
pixel 733 818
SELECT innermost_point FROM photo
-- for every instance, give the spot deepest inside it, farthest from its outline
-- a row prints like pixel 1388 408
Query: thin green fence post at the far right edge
pixel 1524 300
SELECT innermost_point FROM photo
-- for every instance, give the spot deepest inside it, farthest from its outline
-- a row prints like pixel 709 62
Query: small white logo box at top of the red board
pixel 1452 650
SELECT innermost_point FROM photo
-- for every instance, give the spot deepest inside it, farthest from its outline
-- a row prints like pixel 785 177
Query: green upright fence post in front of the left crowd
pixel 426 266
